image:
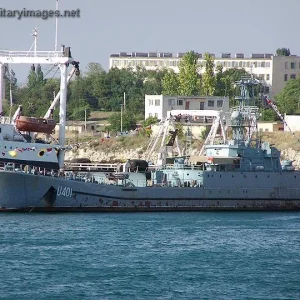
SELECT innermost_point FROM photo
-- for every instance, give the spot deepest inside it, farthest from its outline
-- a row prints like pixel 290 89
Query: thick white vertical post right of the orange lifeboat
pixel 62 112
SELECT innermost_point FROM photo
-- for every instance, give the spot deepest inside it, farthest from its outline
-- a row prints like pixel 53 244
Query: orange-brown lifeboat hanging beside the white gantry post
pixel 32 124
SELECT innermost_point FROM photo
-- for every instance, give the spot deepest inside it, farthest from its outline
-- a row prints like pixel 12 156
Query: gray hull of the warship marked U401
pixel 234 191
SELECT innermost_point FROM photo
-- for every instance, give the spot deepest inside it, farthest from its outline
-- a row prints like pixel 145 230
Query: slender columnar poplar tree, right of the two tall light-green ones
pixel 208 78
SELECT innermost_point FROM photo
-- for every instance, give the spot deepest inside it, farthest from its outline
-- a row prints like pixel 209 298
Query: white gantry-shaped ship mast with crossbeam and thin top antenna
pixel 61 57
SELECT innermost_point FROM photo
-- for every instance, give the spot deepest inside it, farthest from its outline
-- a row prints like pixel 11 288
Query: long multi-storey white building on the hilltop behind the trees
pixel 275 71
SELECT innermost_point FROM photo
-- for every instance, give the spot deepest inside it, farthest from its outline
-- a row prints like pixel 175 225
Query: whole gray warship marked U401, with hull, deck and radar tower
pixel 237 172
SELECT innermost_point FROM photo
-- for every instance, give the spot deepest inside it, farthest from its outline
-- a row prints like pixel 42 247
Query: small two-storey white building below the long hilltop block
pixel 159 105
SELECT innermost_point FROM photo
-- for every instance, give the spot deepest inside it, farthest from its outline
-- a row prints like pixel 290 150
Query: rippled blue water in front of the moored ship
pixel 150 256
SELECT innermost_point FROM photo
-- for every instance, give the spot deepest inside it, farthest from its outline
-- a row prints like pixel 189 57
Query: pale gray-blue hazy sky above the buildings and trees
pixel 112 26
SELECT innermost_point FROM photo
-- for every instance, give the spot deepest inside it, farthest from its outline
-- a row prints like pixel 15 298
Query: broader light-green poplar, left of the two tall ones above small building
pixel 189 78
